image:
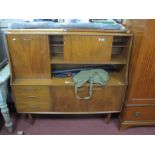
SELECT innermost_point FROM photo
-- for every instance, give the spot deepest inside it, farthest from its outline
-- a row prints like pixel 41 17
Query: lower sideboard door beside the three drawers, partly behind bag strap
pixel 65 100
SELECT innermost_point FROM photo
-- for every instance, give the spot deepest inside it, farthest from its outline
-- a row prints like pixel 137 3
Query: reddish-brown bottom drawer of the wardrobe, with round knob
pixel 139 113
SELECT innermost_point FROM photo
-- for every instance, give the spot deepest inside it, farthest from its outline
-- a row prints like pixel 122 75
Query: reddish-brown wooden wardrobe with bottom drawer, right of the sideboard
pixel 140 97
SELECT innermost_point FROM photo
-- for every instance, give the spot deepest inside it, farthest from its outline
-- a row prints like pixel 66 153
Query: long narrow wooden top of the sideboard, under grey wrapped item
pixel 68 32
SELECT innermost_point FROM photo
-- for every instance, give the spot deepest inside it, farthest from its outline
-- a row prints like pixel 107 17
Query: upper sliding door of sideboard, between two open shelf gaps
pixel 87 48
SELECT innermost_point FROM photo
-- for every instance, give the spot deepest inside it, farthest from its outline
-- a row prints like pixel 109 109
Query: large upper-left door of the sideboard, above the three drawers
pixel 29 56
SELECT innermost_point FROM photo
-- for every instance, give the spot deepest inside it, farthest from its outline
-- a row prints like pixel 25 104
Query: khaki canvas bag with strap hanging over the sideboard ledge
pixel 93 76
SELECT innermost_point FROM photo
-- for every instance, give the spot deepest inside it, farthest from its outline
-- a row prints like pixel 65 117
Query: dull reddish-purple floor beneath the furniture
pixel 73 125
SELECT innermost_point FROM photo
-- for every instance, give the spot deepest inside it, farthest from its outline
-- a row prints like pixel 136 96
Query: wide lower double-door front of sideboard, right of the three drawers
pixel 104 99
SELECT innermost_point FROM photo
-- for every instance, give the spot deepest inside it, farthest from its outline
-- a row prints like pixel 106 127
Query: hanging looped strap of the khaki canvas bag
pixel 90 91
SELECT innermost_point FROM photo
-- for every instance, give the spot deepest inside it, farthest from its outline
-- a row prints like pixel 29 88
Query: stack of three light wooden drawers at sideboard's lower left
pixel 32 98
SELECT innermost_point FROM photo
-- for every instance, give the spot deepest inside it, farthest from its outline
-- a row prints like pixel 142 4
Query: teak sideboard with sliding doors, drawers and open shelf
pixel 34 55
